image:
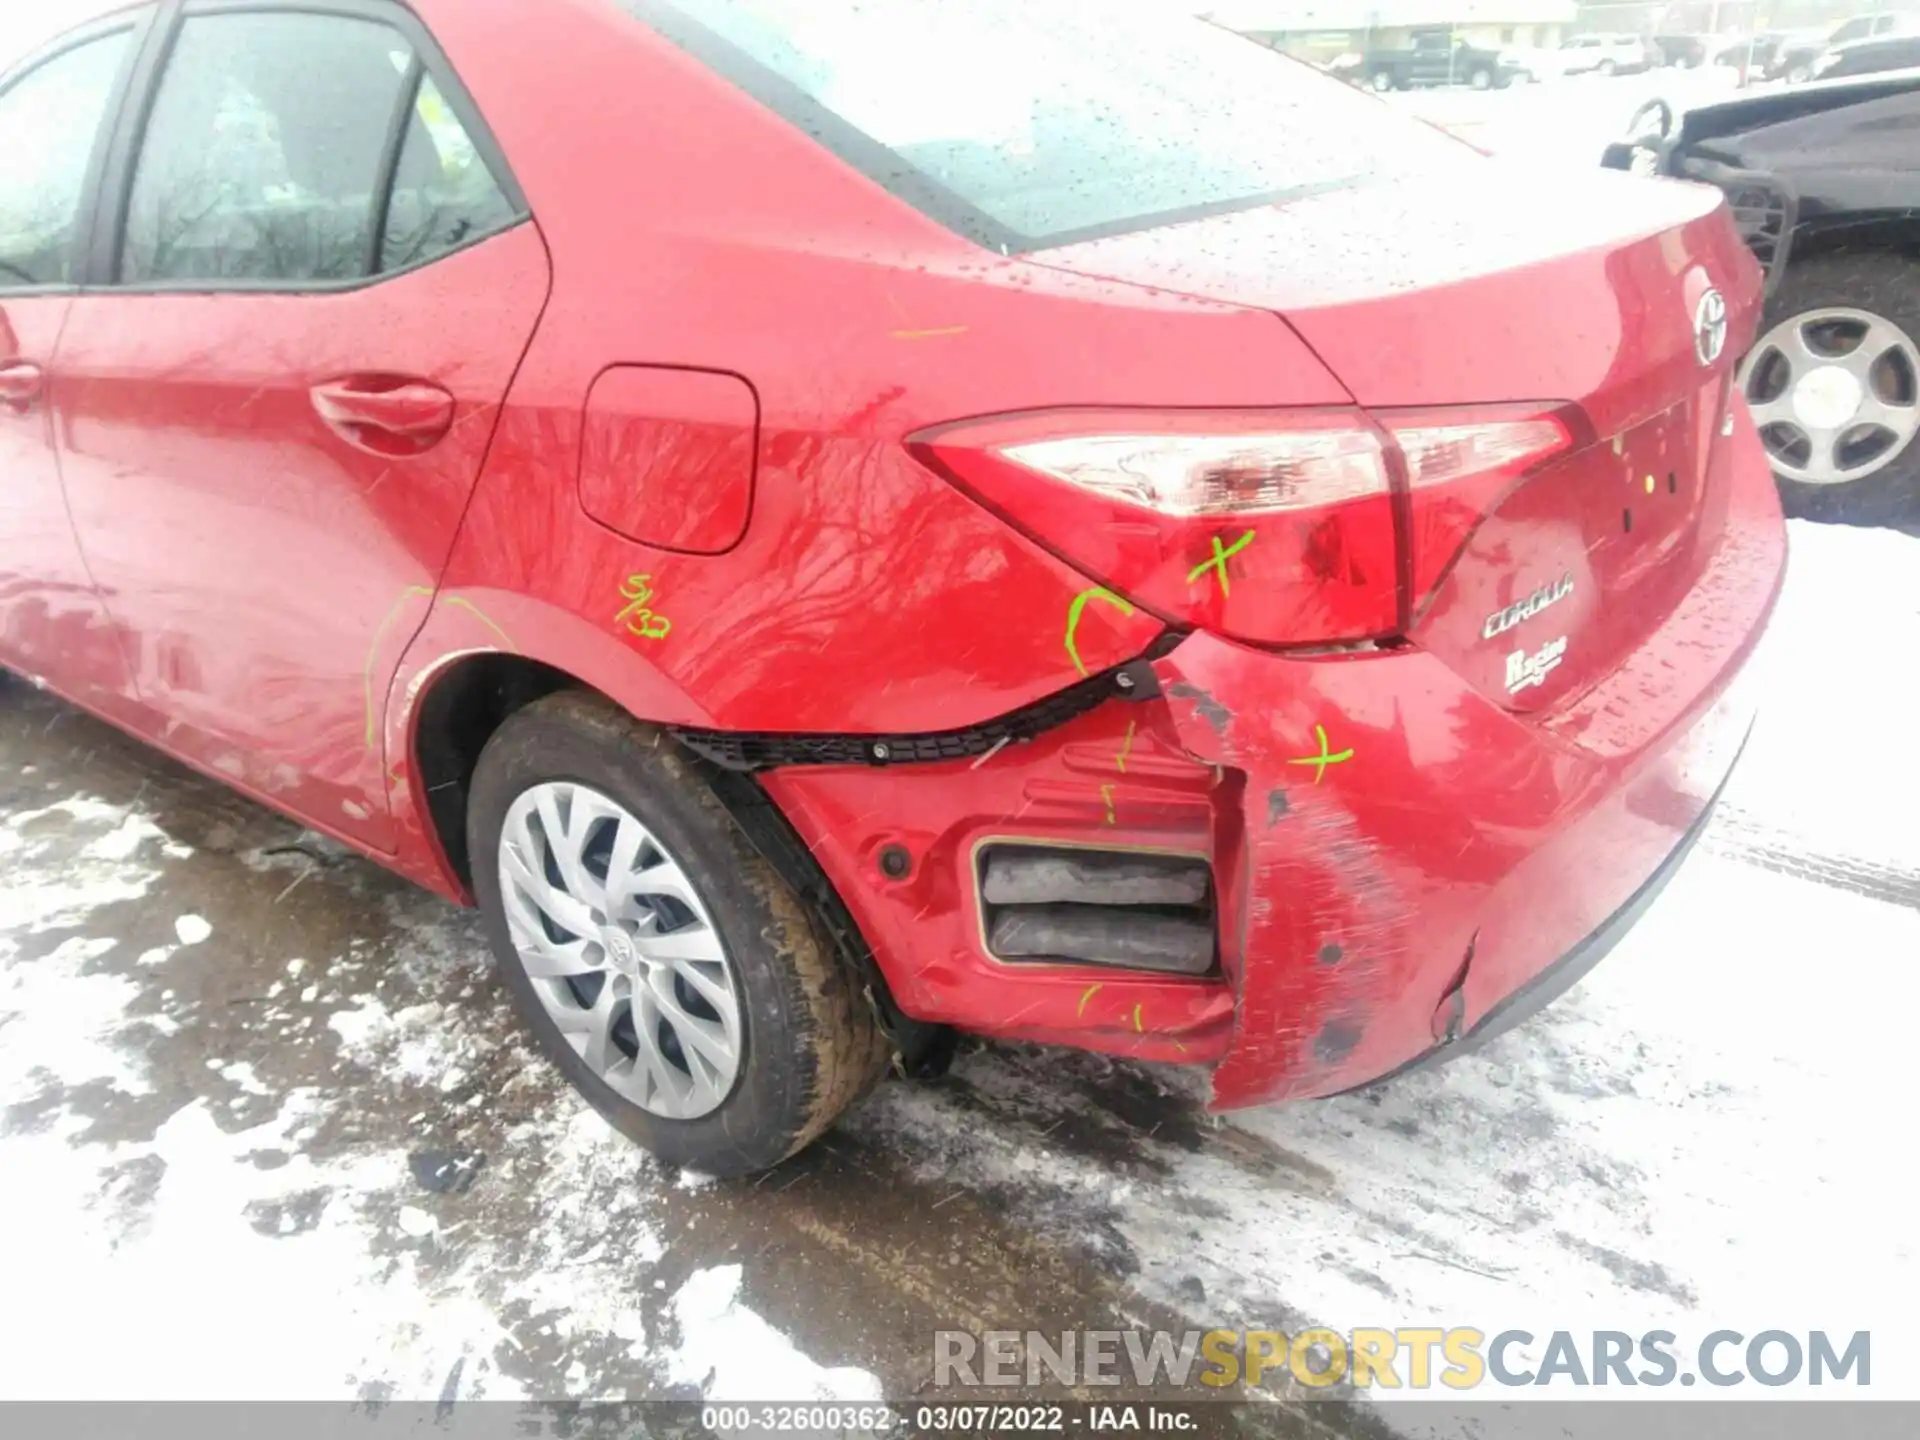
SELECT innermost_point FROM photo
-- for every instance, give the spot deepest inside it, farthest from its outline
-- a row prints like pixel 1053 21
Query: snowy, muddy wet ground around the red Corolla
pixel 262 1140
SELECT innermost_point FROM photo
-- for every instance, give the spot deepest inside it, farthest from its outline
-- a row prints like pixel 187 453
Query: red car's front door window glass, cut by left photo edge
pixel 49 126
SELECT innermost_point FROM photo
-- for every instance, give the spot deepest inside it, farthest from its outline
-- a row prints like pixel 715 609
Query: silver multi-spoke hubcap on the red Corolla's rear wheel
pixel 621 951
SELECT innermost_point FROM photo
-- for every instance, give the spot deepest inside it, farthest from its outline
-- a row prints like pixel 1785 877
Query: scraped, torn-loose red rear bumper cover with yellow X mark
pixel 1412 859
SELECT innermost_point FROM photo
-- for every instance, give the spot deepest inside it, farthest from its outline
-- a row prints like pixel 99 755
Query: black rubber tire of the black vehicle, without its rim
pixel 1884 285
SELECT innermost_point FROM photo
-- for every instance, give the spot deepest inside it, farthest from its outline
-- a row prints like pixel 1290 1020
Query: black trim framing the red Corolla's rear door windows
pixel 114 183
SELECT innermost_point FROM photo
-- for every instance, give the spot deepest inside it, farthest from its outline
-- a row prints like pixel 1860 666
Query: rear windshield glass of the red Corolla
pixel 1026 124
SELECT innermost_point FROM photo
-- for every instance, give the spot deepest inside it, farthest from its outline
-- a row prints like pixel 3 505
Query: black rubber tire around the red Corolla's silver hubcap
pixel 811 1047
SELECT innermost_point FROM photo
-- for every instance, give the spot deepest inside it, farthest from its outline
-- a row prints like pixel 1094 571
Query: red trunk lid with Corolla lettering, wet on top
pixel 1493 285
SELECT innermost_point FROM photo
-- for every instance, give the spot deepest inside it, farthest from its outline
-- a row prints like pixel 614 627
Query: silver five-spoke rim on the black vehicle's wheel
pixel 1836 395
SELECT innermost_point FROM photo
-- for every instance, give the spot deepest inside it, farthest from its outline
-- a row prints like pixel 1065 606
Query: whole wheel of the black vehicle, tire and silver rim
pixel 1835 389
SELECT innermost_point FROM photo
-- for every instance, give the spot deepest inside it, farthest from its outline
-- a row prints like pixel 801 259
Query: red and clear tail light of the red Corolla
pixel 1274 527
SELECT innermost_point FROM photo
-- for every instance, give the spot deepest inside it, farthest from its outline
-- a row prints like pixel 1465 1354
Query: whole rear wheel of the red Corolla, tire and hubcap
pixel 658 957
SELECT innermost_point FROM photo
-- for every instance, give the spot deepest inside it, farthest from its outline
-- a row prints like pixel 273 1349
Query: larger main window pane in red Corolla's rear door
pixel 266 149
